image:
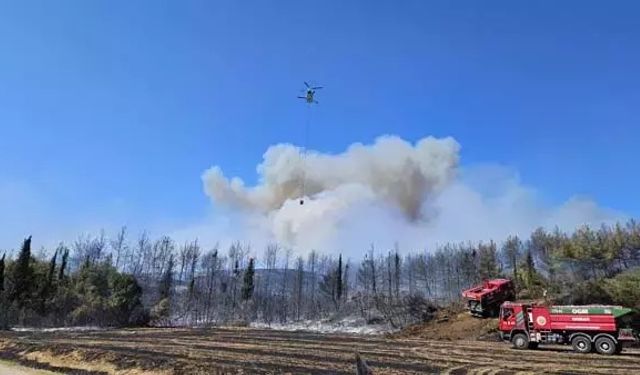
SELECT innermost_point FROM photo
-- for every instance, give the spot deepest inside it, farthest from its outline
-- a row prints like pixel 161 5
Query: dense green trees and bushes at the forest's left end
pixel 40 292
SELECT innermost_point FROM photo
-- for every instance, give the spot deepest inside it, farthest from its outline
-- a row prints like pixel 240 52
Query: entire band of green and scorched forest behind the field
pixel 121 281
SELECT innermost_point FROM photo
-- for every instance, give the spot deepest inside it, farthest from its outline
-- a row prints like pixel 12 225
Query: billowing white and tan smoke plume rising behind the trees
pixel 389 191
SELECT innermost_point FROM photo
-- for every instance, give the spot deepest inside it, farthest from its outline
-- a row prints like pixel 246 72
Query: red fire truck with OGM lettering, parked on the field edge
pixel 586 328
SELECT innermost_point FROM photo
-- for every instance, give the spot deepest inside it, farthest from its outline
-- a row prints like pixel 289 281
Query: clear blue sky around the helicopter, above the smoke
pixel 110 111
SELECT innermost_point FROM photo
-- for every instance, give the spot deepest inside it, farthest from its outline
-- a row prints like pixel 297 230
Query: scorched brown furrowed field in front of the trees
pixel 252 351
